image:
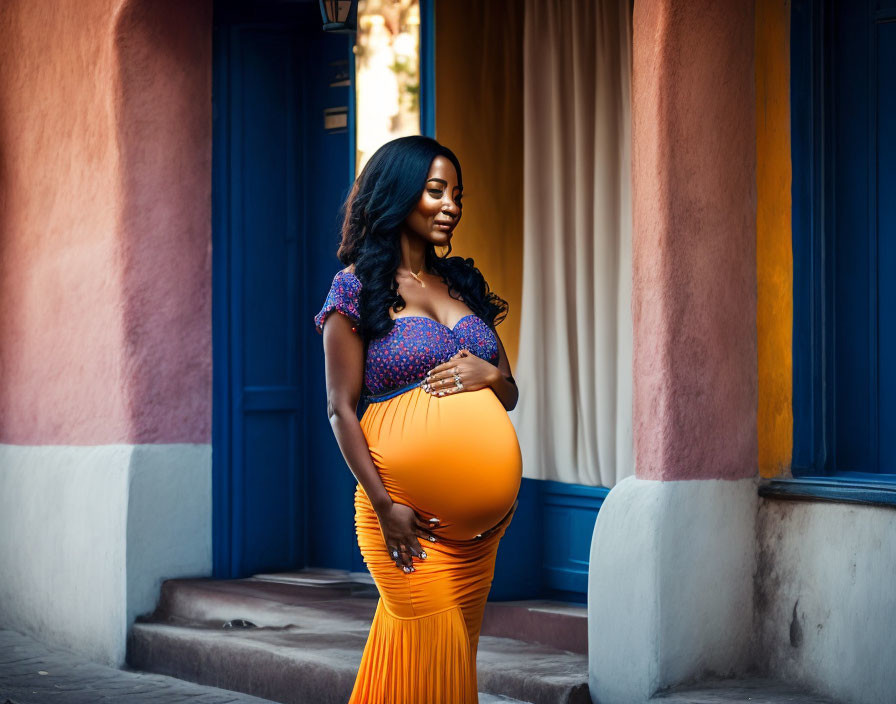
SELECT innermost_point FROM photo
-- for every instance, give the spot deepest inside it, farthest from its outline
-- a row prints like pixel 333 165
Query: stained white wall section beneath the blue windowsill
pixel 826 606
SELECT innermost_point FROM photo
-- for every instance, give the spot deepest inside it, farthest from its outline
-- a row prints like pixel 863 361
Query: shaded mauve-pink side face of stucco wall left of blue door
pixel 164 95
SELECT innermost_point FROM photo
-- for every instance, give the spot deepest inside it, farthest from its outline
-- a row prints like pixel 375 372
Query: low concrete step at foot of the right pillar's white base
pixel 754 691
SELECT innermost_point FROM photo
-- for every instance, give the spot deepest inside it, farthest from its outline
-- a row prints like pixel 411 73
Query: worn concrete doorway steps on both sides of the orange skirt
pixel 309 631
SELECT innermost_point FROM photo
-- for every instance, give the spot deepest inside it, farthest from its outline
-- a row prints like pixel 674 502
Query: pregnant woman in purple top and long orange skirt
pixel 436 457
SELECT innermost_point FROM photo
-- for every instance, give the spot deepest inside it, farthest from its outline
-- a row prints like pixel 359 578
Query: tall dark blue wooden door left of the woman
pixel 282 500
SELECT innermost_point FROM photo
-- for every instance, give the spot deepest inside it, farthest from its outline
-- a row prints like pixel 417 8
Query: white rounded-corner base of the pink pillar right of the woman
pixel 670 591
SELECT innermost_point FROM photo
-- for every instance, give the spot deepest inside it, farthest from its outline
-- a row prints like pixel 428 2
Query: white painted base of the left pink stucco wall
pixel 88 534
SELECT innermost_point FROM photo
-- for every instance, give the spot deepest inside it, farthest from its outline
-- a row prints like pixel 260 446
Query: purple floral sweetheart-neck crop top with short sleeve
pixel 400 360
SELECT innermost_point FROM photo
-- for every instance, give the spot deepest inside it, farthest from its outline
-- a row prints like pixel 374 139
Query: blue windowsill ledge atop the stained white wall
pixel 859 490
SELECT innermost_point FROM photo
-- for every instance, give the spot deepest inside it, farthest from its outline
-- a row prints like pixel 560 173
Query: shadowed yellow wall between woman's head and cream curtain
pixel 479 115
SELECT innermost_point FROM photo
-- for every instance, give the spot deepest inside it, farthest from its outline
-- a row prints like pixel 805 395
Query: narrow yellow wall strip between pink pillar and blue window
pixel 774 252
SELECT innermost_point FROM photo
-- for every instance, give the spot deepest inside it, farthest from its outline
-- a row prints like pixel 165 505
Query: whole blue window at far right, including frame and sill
pixel 843 120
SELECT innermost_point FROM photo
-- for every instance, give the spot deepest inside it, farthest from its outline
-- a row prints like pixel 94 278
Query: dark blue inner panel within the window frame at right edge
pixel 861 172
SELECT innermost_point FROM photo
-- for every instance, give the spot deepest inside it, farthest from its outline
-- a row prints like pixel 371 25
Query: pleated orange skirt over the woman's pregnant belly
pixel 457 458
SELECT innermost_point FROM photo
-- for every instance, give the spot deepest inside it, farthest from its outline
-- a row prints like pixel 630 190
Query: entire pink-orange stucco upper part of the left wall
pixel 105 222
